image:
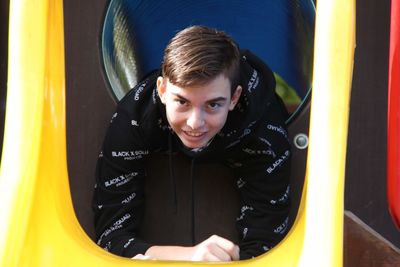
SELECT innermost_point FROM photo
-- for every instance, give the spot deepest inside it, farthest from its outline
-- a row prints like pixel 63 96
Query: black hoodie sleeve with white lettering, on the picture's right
pixel 262 168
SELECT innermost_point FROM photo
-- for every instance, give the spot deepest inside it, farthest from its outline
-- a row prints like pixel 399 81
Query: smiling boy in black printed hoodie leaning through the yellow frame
pixel 209 101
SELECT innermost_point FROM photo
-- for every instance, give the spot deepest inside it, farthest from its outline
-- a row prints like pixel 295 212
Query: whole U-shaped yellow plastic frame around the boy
pixel 38 226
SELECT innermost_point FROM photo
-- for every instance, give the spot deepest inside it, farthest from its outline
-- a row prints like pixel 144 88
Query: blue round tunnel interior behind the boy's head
pixel 135 34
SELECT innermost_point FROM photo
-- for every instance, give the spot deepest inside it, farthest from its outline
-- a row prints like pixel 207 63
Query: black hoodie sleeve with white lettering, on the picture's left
pixel 118 199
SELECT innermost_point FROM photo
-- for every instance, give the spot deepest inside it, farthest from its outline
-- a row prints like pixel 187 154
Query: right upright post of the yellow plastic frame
pixel 333 69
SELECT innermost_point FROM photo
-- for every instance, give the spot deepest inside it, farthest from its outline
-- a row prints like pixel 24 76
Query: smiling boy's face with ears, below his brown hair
pixel 198 113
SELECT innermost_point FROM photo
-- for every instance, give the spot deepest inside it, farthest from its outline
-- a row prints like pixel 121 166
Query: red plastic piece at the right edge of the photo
pixel 393 143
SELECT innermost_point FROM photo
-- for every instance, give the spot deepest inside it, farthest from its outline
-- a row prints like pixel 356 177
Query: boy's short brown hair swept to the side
pixel 198 54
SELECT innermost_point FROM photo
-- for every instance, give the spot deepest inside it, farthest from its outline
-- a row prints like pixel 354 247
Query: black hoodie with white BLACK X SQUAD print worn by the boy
pixel 253 142
